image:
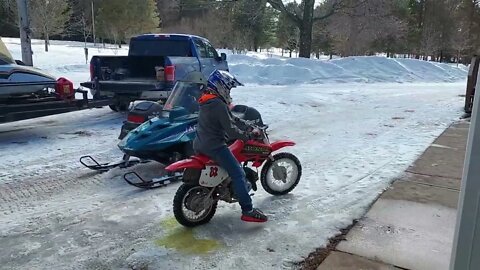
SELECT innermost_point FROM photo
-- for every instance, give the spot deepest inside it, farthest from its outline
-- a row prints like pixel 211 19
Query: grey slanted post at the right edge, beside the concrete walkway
pixel 466 244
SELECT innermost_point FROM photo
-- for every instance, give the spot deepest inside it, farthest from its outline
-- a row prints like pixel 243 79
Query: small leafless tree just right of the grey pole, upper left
pixel 49 17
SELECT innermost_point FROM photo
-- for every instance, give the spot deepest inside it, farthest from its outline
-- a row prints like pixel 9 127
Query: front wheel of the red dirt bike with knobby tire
pixel 281 174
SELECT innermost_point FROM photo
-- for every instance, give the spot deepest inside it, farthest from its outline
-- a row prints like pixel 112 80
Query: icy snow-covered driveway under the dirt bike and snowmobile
pixel 352 141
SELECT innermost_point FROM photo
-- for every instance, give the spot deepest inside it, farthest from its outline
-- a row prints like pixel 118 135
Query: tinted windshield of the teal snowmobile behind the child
pixel 185 95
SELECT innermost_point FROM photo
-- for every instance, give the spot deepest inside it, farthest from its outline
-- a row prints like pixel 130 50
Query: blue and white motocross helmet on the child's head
pixel 221 82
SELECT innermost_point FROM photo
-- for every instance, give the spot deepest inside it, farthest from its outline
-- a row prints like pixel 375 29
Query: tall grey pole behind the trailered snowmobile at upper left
pixel 24 25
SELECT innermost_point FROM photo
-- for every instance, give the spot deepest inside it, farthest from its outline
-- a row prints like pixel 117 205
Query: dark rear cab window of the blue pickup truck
pixel 160 47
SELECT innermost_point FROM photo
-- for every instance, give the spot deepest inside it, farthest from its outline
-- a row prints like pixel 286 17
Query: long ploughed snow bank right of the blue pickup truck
pixel 252 68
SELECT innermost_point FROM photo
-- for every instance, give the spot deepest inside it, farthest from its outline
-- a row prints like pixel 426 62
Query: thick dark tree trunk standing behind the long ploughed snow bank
pixel 305 48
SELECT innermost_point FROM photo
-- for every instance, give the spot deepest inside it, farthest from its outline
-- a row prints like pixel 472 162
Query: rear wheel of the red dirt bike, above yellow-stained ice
pixel 189 198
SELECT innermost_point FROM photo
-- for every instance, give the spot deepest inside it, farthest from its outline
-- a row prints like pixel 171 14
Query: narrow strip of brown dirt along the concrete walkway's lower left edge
pixel 315 258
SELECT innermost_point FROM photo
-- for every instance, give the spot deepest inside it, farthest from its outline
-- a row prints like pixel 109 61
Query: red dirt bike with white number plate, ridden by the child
pixel 205 183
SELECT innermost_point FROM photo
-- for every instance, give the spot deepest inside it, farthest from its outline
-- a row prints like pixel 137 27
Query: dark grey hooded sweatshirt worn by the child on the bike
pixel 215 122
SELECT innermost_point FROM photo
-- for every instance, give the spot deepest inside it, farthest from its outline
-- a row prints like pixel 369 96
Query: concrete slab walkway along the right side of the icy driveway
pixel 411 225
